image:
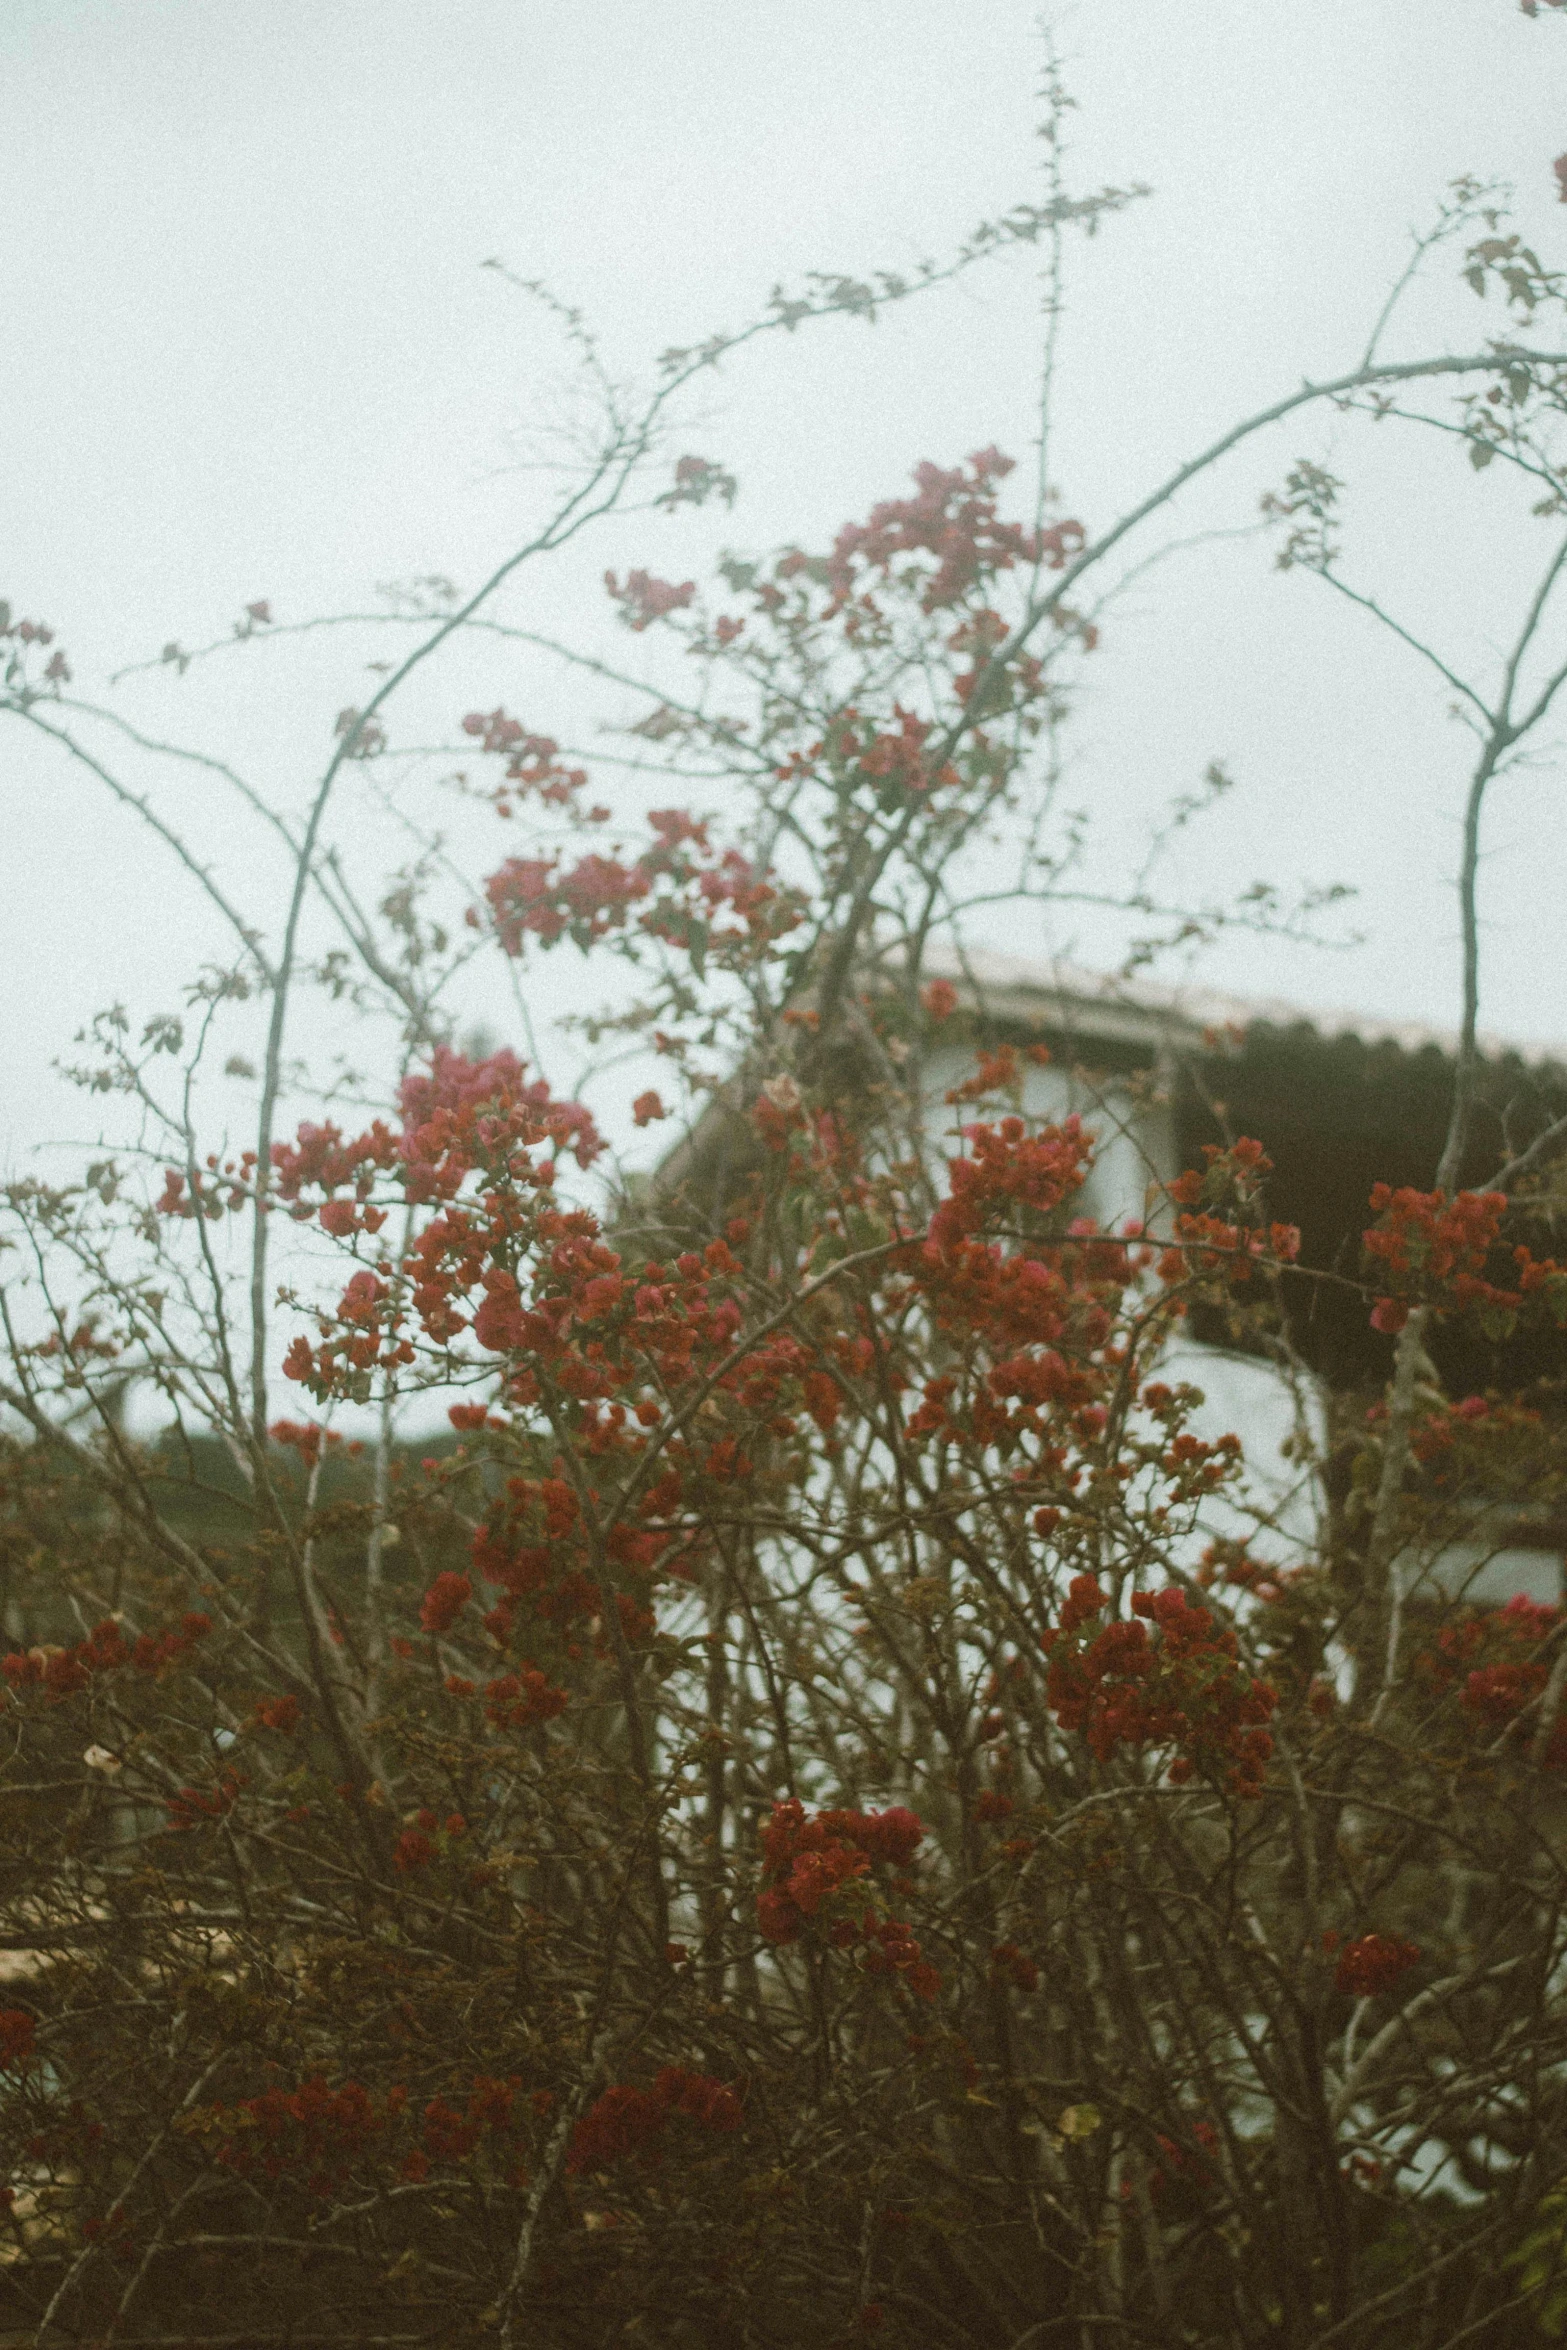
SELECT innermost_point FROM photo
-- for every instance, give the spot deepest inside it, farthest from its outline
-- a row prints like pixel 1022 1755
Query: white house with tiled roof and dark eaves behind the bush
pixel 1340 1101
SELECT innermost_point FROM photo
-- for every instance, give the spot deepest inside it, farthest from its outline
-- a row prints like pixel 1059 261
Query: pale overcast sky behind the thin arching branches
pixel 250 351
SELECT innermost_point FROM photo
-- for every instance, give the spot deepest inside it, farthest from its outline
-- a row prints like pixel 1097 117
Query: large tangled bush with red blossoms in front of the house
pixel 765 1768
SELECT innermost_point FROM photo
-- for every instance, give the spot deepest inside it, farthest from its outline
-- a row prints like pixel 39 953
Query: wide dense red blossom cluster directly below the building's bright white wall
pixel 1164 1677
